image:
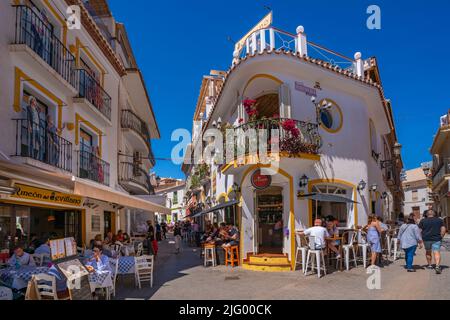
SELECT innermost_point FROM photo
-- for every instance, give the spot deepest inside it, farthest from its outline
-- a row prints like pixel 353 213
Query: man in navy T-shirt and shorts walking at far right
pixel 433 231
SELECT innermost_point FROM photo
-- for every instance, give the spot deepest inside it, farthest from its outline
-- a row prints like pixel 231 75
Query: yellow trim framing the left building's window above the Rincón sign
pixel 19 76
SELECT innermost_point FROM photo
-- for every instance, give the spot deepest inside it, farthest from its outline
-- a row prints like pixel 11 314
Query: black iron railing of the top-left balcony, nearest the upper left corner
pixel 32 31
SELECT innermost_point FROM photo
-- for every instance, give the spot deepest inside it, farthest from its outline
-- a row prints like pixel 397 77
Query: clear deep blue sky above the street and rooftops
pixel 177 42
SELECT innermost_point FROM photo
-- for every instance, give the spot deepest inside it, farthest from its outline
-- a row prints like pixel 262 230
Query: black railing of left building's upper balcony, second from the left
pixel 90 89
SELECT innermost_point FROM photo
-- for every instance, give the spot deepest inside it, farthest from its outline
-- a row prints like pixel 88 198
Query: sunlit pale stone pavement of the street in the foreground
pixel 182 276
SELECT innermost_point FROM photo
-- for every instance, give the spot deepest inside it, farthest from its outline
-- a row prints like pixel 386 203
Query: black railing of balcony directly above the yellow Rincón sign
pixel 39 142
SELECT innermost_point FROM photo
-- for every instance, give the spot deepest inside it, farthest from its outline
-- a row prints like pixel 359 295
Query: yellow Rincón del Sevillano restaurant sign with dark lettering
pixel 38 194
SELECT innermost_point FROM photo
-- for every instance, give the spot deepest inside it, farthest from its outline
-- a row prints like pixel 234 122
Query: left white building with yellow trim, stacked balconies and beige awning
pixel 77 122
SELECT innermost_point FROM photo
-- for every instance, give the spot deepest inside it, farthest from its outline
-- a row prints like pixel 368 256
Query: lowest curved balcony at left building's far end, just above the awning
pixel 134 179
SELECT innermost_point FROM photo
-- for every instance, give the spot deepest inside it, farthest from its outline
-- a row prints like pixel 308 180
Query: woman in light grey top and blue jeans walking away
pixel 410 237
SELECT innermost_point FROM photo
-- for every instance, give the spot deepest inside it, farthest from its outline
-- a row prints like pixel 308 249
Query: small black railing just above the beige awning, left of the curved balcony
pixel 93 168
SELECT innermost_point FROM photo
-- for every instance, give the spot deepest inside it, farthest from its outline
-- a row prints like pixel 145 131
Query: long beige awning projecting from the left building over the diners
pixel 111 196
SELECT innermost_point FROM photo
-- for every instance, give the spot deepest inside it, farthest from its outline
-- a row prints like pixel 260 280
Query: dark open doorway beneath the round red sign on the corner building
pixel 269 220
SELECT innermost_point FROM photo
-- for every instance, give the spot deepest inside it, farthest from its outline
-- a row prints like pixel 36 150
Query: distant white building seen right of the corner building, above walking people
pixel 417 192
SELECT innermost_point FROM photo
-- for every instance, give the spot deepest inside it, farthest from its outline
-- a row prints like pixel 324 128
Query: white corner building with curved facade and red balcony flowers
pixel 330 140
